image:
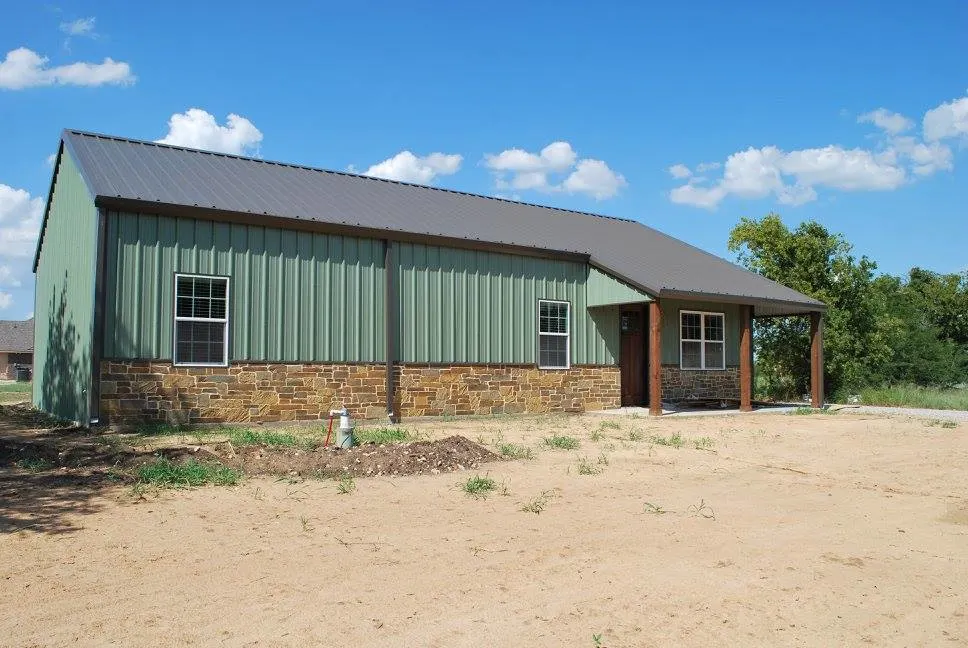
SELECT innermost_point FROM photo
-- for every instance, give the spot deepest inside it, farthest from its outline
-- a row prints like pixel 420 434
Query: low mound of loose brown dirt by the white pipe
pixel 420 457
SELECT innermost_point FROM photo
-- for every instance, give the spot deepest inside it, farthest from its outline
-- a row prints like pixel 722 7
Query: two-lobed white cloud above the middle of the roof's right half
pixel 521 170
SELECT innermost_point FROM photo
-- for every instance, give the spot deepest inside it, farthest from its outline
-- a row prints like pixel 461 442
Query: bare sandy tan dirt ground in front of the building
pixel 759 530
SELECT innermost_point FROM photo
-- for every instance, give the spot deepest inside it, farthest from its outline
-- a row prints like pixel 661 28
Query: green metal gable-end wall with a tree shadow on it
pixel 64 299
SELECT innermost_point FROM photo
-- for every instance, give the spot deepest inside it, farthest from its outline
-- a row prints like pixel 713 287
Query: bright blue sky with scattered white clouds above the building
pixel 686 116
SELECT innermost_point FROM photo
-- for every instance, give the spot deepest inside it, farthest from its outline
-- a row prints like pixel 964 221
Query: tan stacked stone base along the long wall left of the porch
pixel 142 391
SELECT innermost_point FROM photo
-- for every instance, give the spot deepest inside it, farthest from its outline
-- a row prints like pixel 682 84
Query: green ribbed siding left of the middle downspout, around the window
pixel 295 296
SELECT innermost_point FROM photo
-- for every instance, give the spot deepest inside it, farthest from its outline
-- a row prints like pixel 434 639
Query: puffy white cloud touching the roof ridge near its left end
pixel 196 128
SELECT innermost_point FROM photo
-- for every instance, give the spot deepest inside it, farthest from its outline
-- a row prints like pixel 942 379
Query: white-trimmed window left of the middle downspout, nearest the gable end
pixel 201 320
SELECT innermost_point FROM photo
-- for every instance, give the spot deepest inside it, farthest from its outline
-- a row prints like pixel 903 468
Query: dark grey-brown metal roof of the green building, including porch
pixel 123 173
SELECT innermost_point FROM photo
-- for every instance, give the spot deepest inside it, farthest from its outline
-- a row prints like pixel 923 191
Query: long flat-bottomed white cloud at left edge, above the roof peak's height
pixel 24 68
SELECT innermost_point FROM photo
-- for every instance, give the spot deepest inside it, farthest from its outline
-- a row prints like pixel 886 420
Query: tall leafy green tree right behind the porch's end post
pixel 810 259
